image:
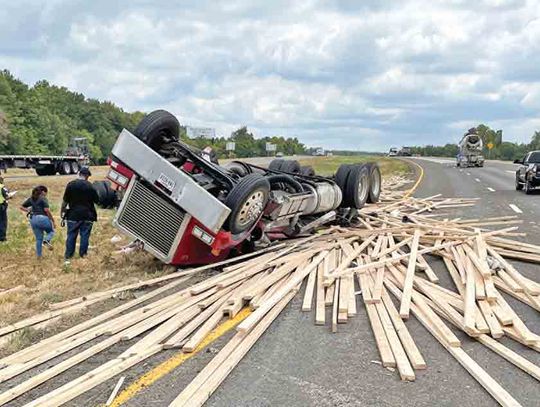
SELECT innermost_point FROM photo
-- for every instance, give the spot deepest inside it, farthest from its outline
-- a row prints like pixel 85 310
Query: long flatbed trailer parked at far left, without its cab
pixel 44 164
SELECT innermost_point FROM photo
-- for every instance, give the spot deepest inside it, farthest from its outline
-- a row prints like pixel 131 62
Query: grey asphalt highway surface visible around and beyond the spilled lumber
pixel 296 363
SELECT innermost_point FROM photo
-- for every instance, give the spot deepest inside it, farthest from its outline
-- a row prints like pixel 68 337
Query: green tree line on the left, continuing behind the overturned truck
pixel 43 118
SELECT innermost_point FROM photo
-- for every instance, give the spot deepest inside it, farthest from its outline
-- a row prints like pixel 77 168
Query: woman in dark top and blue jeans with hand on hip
pixel 37 209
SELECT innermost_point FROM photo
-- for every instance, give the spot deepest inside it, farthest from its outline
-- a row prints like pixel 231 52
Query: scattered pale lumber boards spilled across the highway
pixel 383 263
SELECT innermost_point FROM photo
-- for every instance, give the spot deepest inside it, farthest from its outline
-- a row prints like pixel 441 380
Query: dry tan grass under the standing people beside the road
pixel 47 280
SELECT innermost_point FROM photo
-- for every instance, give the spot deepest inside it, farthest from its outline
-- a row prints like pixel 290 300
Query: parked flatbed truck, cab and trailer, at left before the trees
pixel 76 156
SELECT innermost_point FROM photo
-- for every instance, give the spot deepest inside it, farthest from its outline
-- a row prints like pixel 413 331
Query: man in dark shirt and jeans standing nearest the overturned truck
pixel 79 211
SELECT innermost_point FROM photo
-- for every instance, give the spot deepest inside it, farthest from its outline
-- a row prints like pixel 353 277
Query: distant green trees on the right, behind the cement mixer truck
pixel 500 150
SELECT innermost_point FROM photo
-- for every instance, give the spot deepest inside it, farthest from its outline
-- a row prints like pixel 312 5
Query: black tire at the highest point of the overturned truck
pixel 156 128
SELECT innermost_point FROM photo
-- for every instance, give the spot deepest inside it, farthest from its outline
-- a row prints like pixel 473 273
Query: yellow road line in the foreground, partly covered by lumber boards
pixel 172 363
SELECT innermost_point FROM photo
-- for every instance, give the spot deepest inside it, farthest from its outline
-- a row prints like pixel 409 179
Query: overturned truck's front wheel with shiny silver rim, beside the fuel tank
pixel 247 201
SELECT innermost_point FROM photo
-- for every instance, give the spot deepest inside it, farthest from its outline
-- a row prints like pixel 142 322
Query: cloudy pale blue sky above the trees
pixel 359 75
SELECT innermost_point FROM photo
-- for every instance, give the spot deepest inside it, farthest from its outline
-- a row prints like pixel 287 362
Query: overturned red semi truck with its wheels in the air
pixel 185 208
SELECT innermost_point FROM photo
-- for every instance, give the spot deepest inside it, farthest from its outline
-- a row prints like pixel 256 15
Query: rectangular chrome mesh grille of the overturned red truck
pixel 151 218
